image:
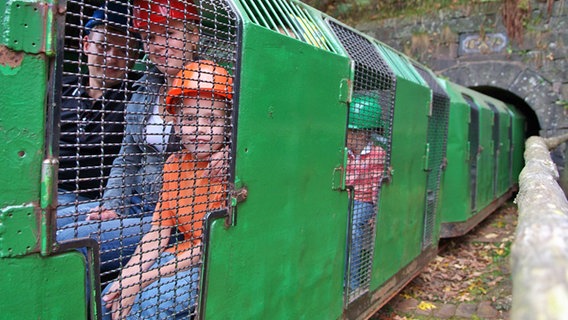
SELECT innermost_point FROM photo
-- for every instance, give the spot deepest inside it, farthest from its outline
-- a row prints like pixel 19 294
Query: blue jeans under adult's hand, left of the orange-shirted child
pixel 117 238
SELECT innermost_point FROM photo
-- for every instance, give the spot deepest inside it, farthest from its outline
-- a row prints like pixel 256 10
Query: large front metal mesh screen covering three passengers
pixel 145 118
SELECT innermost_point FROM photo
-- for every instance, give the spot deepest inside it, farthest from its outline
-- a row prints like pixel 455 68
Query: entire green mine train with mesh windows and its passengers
pixel 322 169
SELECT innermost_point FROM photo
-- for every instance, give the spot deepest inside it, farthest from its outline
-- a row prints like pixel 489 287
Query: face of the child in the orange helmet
pixel 201 125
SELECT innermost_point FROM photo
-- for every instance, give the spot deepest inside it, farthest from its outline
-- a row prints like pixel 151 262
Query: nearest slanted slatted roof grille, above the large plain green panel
pixel 289 18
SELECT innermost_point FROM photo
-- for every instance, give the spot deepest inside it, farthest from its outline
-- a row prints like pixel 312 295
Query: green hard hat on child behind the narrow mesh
pixel 365 111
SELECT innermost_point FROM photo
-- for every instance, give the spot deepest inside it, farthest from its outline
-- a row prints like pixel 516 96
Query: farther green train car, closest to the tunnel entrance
pixel 484 137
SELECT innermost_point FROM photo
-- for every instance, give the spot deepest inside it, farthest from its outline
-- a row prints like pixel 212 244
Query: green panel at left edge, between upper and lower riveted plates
pixel 22 123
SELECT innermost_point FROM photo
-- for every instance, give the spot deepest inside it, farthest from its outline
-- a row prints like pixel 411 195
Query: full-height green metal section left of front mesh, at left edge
pixel 31 286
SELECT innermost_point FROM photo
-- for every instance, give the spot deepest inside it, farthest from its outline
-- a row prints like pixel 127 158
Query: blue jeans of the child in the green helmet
pixel 361 243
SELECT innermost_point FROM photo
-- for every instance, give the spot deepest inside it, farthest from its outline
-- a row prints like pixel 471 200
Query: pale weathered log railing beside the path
pixel 540 252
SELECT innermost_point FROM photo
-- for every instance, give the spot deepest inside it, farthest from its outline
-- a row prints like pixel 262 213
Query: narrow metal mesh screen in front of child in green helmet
pixel 368 144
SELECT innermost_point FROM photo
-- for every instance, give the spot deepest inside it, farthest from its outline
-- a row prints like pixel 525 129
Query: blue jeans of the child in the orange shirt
pixel 173 297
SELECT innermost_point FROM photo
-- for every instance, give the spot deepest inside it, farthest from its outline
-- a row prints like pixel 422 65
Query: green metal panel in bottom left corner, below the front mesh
pixel 36 287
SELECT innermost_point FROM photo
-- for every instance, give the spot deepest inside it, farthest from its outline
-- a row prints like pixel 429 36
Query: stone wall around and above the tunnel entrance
pixel 470 46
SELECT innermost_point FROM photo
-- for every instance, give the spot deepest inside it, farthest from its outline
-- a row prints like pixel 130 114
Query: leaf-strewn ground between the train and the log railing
pixel 470 278
